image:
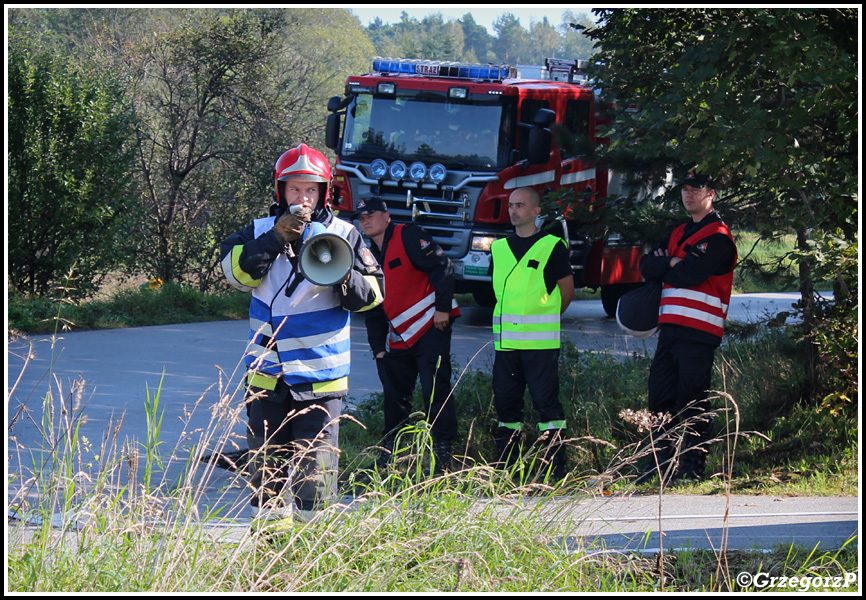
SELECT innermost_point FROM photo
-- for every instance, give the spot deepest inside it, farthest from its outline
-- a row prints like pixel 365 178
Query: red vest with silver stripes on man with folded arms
pixel 704 307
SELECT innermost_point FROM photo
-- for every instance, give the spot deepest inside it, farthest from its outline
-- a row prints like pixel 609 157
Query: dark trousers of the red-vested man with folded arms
pixel 680 377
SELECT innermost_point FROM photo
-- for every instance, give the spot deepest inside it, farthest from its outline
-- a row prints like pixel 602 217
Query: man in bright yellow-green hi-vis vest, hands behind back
pixel 534 284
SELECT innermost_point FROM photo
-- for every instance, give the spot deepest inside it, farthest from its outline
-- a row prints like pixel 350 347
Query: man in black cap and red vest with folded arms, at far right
pixel 695 264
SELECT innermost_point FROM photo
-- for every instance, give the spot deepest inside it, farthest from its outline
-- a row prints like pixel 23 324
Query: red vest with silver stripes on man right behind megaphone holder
pixel 410 299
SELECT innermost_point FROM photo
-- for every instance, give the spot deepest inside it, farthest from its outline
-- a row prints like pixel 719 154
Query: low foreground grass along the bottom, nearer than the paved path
pixel 425 537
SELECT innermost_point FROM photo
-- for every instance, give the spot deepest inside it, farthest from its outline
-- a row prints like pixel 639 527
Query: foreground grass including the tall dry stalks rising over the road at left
pixel 474 530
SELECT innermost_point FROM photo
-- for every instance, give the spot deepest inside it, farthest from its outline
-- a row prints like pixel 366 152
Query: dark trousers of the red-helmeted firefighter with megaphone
pixel 294 446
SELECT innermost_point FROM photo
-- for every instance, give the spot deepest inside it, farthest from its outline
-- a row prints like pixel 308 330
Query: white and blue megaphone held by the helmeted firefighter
pixel 325 258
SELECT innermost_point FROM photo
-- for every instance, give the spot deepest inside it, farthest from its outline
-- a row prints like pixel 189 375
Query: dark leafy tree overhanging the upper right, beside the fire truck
pixel 767 101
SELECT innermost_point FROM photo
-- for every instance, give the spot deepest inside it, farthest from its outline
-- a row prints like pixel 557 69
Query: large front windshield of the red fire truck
pixel 471 136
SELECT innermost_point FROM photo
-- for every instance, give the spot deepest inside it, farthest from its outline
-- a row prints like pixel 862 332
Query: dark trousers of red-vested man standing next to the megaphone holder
pixel 430 361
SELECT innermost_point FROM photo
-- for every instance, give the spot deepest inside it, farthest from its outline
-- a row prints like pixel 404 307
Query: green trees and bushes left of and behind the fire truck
pixel 201 102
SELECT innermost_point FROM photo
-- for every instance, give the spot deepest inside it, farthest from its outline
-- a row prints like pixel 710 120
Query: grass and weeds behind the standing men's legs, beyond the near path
pixel 784 445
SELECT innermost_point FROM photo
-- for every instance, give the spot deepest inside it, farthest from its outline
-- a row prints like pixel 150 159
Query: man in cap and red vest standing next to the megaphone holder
pixel 410 334
